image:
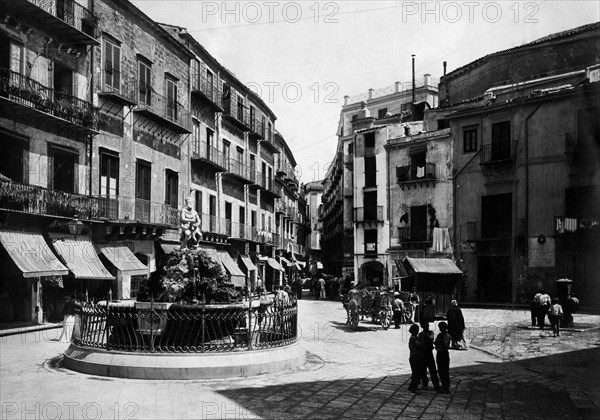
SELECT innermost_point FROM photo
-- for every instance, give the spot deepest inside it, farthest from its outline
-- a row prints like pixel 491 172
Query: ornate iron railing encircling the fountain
pixel 186 329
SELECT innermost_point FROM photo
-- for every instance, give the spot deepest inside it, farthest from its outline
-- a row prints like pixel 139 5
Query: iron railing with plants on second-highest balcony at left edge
pixel 29 93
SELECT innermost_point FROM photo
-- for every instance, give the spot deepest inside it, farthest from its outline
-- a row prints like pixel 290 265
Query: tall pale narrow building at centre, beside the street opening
pixel 354 204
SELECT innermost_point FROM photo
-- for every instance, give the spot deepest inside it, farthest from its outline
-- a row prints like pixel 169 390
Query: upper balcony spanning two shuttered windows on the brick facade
pixel 163 111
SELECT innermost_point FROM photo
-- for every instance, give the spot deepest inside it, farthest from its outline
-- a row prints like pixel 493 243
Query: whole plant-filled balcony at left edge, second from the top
pixel 26 98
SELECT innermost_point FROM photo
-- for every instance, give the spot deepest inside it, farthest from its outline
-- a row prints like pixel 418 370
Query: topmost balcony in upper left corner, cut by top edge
pixel 64 20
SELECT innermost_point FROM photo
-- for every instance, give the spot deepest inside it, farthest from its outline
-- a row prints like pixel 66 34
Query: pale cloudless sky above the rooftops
pixel 303 57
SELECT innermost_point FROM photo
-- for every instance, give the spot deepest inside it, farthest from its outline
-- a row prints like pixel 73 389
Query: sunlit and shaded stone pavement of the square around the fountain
pixel 508 372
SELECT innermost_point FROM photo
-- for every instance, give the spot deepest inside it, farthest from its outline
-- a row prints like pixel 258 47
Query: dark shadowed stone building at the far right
pixel 526 157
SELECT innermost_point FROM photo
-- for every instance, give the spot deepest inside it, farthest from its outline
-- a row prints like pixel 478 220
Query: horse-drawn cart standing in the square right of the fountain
pixel 370 302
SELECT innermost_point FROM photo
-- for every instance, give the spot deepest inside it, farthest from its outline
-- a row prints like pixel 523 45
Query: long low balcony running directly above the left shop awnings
pixel 33 199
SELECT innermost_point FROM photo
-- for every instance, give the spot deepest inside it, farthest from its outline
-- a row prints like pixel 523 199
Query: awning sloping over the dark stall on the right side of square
pixel 438 275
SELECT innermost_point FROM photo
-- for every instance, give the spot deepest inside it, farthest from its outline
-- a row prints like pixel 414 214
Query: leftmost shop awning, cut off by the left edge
pixel 31 254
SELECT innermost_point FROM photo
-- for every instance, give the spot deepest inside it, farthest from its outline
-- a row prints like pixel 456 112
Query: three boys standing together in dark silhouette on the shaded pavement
pixel 421 345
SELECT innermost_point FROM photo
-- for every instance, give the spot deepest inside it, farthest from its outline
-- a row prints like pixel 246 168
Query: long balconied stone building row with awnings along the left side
pixel 108 122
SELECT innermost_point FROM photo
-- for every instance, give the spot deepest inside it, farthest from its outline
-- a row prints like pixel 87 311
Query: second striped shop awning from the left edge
pixel 79 255
